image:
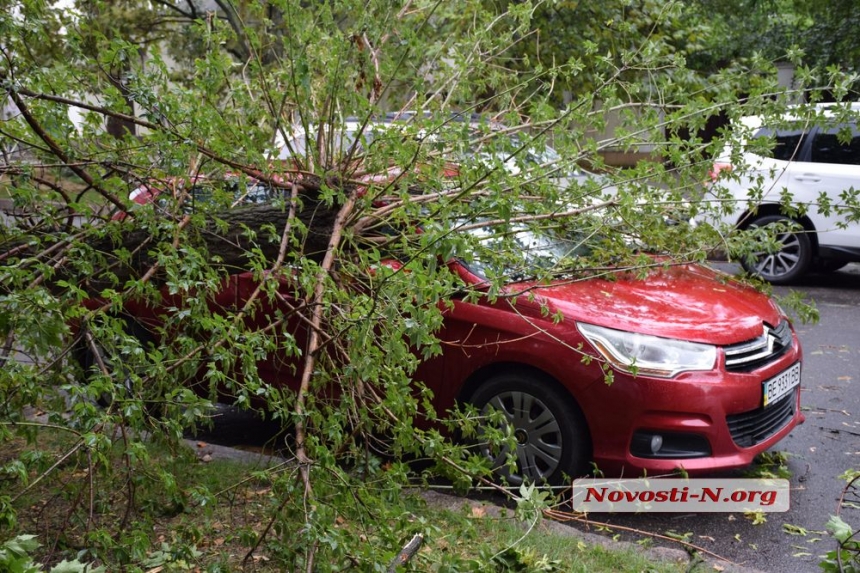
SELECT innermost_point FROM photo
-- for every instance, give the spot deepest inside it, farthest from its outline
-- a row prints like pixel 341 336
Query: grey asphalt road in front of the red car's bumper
pixel 820 450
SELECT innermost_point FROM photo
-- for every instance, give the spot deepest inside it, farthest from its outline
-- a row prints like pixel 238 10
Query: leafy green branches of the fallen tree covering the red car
pixel 112 98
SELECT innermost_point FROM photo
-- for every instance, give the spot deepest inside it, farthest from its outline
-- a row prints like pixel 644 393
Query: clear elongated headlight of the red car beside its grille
pixel 645 355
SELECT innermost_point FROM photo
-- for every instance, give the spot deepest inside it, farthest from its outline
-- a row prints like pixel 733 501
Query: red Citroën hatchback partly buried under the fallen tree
pixel 705 371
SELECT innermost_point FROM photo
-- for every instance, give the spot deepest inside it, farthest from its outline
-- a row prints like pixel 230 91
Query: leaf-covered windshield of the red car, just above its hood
pixel 518 252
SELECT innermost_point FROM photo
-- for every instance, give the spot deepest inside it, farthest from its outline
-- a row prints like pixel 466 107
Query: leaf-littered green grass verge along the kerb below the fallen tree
pixel 171 527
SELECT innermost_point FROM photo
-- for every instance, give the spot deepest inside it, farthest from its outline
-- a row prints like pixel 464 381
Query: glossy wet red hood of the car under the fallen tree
pixel 688 302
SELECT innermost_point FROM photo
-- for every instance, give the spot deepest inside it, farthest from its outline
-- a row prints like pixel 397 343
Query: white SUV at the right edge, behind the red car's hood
pixel 810 160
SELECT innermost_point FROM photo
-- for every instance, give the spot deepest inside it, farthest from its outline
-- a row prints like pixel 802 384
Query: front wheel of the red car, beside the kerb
pixel 551 432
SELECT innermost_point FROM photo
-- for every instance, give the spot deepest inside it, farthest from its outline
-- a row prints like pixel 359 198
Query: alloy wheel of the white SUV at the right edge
pixel 789 263
